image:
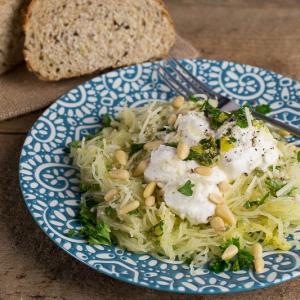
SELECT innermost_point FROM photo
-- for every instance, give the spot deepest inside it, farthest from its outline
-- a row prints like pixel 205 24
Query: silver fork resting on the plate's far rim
pixel 184 83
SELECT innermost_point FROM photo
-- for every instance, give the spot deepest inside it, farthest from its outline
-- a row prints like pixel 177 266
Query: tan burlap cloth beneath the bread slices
pixel 21 92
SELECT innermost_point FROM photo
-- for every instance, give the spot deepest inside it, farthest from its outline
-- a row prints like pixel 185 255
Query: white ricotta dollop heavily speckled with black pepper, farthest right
pixel 254 147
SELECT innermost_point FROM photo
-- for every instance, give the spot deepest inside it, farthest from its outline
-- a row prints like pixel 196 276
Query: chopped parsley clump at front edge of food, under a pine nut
pixel 242 261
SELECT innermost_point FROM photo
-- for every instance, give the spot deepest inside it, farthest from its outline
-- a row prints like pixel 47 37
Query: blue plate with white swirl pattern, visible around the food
pixel 50 183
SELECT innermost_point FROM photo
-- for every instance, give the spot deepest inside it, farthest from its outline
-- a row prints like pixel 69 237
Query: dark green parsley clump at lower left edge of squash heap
pixel 94 230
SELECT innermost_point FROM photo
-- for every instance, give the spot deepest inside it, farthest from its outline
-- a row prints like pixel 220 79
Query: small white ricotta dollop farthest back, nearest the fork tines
pixel 192 127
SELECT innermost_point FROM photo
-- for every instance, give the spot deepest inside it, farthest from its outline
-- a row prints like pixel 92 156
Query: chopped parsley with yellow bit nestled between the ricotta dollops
pixel 205 152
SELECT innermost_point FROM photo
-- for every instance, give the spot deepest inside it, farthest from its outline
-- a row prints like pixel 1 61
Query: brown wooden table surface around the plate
pixel 257 32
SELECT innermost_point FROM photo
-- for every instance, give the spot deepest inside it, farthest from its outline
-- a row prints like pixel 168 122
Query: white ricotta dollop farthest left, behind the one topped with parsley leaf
pixel 165 166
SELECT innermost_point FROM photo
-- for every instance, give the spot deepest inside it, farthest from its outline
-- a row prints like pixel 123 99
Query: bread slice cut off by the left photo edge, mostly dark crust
pixel 11 36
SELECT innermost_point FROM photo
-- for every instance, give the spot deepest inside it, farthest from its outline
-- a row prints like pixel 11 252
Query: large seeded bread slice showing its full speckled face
pixel 65 39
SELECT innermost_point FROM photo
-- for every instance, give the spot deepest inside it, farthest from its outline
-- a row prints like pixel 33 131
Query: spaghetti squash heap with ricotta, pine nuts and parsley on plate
pixel 187 181
